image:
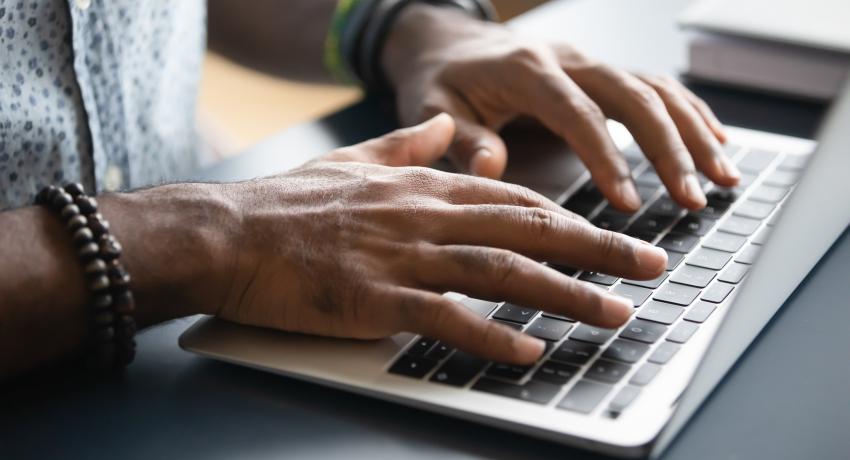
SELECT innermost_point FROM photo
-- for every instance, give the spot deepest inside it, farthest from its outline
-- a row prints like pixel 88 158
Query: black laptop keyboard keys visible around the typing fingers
pixel 590 370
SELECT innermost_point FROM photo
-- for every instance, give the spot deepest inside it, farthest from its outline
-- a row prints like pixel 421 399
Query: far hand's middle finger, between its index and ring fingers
pixel 634 103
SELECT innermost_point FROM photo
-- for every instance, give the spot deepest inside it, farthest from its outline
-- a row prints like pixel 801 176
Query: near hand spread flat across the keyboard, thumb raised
pixel 361 243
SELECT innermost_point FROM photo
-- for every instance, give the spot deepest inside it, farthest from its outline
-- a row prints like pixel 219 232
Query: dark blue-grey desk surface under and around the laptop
pixel 786 398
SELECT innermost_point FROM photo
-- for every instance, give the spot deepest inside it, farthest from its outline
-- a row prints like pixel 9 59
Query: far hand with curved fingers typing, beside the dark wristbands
pixel 440 60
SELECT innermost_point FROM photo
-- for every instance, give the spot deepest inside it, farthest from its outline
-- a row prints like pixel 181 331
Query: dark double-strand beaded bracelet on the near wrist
pixel 112 344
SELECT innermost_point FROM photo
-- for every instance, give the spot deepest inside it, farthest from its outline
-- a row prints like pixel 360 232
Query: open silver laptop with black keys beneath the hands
pixel 624 392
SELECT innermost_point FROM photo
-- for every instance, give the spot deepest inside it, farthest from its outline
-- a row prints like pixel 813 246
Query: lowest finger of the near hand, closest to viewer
pixel 437 316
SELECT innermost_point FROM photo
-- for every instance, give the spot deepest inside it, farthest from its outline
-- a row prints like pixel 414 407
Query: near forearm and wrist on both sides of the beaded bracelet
pixel 171 237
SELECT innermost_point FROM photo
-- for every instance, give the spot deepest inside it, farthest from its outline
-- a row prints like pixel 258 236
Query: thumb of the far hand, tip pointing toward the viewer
pixel 479 150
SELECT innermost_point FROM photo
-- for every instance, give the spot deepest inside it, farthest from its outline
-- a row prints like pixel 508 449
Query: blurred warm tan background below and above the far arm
pixel 263 105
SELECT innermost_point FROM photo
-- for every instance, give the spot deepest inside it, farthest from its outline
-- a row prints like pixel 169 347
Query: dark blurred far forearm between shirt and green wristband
pixel 285 38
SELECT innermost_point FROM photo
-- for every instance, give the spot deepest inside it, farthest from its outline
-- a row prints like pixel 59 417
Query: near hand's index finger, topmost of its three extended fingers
pixel 548 236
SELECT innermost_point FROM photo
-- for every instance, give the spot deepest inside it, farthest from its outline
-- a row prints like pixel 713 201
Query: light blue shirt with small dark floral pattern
pixel 97 91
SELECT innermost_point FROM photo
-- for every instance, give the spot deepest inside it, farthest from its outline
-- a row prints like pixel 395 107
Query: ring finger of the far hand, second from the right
pixel 696 133
